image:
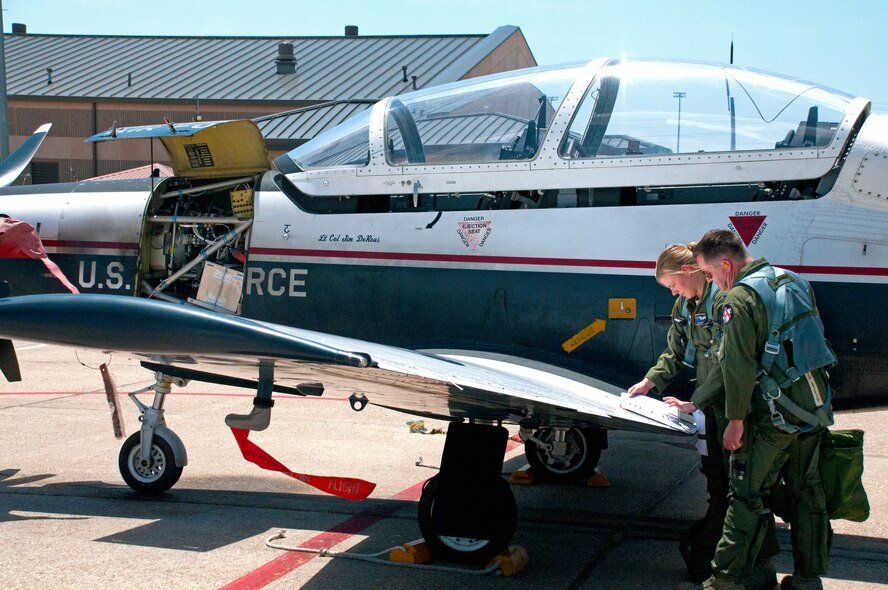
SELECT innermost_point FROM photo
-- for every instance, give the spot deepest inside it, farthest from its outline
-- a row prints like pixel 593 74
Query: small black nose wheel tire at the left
pixel 156 476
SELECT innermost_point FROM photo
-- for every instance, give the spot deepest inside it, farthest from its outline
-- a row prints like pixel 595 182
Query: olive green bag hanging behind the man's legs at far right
pixel 841 470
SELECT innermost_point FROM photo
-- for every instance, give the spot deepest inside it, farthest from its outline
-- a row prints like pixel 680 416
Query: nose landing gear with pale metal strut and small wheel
pixel 151 460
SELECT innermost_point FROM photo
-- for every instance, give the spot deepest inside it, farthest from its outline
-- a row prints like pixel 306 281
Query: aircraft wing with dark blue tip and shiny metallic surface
pixel 190 342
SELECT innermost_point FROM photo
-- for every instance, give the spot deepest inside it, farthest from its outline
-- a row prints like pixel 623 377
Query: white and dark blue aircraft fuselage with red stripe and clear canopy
pixel 536 249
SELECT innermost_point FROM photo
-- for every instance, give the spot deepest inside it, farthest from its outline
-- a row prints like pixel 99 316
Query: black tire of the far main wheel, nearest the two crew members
pixel 580 461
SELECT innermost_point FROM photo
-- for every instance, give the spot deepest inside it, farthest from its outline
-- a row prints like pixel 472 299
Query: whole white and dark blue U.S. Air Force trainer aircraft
pixel 481 252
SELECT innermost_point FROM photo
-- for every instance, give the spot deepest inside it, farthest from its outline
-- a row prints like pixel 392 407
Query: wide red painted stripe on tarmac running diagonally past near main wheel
pixel 289 561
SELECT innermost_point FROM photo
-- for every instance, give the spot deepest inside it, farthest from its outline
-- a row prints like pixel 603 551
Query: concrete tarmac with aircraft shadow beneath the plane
pixel 67 520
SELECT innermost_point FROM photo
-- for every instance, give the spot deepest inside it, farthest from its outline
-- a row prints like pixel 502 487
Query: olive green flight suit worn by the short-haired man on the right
pixel 767 453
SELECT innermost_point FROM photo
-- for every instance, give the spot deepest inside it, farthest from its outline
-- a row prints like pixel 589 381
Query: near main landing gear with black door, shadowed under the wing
pixel 467 512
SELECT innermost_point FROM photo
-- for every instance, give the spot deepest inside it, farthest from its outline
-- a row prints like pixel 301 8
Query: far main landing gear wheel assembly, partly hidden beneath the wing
pixel 564 454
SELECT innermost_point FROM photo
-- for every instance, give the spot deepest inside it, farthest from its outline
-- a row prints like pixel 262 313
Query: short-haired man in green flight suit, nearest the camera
pixel 762 453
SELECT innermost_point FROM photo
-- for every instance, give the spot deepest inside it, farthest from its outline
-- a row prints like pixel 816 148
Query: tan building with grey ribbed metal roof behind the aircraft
pixel 84 84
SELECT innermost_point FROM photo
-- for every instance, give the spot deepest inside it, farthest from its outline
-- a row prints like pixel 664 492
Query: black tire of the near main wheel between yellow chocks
pixel 501 508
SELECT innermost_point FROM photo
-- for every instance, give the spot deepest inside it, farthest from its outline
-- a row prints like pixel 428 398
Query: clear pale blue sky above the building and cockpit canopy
pixel 839 44
